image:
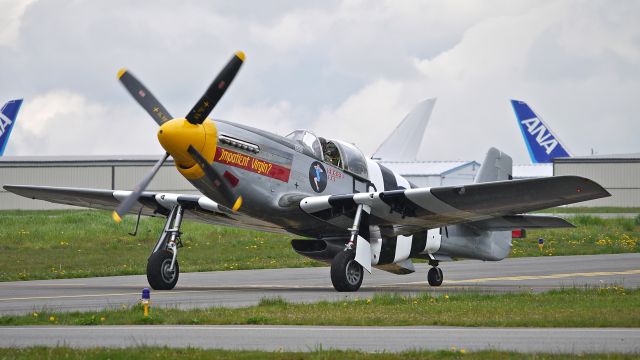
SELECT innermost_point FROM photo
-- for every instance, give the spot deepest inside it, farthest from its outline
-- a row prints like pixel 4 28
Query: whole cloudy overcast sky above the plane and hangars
pixel 344 69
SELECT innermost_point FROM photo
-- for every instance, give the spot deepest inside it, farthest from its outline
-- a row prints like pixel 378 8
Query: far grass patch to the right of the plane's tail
pixel 592 235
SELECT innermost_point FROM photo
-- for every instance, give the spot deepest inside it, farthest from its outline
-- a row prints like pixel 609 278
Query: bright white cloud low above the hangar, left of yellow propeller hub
pixel 61 122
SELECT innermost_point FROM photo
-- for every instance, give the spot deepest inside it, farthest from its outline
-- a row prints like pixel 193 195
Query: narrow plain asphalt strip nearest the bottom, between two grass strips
pixel 309 338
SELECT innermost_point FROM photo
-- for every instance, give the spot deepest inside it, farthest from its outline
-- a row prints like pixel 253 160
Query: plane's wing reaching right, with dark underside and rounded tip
pixel 411 210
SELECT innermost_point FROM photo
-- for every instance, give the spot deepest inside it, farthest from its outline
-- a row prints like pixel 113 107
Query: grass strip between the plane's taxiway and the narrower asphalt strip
pixel 611 306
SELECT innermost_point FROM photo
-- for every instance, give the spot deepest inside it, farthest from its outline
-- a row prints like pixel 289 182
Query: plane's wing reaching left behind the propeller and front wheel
pixel 197 207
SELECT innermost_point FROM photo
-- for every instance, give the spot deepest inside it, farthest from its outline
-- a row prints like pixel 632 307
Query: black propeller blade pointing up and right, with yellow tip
pixel 208 101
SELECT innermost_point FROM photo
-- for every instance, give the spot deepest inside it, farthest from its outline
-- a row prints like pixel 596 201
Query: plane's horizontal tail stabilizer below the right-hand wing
pixel 511 222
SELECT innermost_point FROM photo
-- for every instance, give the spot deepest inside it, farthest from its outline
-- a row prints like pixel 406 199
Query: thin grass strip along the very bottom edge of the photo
pixel 158 353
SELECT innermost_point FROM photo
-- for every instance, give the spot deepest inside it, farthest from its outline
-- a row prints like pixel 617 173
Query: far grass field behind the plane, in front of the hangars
pixel 84 243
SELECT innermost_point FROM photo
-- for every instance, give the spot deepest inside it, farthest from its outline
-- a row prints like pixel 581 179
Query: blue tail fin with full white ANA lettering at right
pixel 543 145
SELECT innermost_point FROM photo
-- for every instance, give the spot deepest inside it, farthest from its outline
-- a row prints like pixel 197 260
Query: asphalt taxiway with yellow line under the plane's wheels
pixel 248 287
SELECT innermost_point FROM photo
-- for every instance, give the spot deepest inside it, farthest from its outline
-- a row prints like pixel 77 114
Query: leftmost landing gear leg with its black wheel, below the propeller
pixel 162 266
